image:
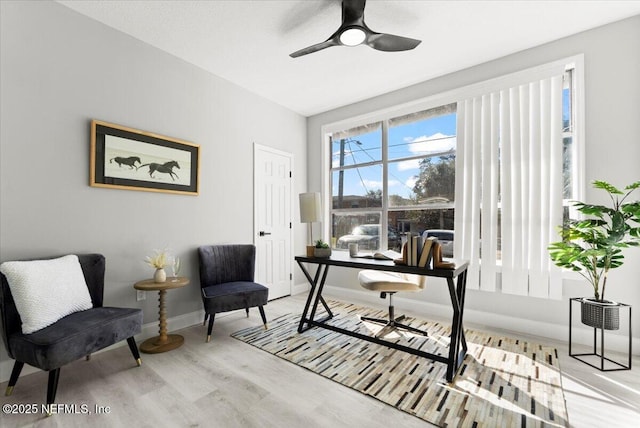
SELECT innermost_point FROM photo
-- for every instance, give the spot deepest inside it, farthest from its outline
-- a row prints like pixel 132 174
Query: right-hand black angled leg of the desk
pixel 458 340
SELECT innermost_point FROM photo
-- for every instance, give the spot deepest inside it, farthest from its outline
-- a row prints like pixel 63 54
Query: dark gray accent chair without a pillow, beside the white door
pixel 227 281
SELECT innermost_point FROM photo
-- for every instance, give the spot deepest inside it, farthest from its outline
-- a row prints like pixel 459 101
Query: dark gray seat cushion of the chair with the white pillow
pixel 76 336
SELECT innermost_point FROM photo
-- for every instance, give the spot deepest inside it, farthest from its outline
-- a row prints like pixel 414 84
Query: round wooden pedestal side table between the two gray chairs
pixel 164 342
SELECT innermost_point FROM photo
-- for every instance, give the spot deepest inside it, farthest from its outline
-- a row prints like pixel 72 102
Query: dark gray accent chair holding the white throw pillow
pixel 73 337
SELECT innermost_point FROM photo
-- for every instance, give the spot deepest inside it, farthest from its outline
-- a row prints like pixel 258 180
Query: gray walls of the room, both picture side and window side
pixel 59 70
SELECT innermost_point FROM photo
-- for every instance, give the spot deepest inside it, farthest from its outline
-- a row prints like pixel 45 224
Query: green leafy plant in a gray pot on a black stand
pixel 593 246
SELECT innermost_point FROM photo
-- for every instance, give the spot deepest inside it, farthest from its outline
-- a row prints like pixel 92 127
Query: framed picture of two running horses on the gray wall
pixel 127 158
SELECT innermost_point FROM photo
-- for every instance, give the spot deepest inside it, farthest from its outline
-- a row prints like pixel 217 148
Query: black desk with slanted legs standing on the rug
pixel 458 344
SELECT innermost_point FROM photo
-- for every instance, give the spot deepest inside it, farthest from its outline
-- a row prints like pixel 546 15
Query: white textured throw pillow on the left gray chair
pixel 46 290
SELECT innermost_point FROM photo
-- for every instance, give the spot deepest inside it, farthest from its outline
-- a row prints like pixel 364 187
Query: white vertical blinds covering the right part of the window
pixel 509 186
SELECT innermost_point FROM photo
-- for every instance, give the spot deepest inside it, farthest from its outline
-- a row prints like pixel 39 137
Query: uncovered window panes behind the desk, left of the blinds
pixel 392 177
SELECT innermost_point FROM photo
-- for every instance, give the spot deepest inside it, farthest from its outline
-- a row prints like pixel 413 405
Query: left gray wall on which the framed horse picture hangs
pixel 59 70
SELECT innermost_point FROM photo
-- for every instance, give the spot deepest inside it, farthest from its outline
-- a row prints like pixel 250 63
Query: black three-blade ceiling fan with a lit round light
pixel 354 31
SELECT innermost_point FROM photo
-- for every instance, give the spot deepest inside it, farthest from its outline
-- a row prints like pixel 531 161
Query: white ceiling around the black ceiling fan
pixel 249 42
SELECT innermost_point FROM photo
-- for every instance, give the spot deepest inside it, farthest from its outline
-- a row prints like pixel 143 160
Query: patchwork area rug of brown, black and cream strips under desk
pixel 502 382
